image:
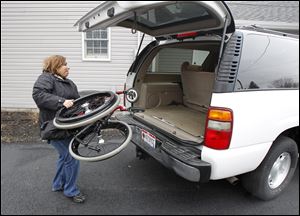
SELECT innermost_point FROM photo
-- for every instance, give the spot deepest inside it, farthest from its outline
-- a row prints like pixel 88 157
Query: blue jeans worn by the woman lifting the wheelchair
pixel 67 169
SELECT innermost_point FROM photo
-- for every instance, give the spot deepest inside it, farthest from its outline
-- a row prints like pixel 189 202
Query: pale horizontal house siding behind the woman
pixel 33 30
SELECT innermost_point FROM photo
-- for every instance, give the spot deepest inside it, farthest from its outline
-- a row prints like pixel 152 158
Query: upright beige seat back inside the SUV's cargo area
pixel 197 86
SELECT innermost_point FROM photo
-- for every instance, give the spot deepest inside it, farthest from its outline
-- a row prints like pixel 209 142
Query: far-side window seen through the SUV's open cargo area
pixel 169 60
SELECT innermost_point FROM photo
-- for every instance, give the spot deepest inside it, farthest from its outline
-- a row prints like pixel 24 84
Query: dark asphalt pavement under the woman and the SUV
pixel 123 185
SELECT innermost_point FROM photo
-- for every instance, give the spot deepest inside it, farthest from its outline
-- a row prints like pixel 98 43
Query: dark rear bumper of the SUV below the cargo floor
pixel 183 160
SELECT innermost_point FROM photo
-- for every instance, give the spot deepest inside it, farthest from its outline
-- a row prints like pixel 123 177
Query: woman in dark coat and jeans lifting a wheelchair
pixel 51 91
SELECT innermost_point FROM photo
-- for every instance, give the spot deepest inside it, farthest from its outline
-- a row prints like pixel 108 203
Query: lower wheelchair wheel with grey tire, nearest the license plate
pixel 100 141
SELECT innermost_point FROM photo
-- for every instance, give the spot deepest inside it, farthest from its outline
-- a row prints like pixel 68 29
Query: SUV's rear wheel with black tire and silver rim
pixel 275 172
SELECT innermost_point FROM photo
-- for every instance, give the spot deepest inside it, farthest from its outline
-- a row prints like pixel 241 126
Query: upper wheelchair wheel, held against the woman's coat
pixel 86 110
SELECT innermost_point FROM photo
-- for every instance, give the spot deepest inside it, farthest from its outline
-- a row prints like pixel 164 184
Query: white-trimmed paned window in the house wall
pixel 96 45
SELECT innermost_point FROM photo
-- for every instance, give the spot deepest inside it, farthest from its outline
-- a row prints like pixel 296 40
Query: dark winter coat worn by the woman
pixel 50 92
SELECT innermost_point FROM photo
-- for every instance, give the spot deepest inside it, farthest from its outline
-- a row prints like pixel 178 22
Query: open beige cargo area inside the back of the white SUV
pixel 175 87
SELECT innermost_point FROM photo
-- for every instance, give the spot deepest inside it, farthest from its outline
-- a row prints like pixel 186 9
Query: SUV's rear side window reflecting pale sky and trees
pixel 268 62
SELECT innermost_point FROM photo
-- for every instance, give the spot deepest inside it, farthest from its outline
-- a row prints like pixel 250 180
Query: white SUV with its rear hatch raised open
pixel 216 102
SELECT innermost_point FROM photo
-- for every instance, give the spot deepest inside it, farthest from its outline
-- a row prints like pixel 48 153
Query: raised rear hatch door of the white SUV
pixel 160 18
